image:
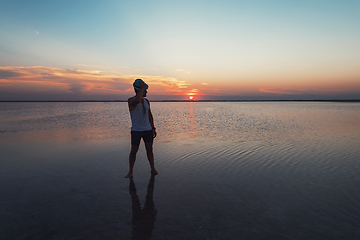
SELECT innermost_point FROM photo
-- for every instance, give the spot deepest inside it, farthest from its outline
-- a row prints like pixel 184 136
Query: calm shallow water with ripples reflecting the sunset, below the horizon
pixel 229 170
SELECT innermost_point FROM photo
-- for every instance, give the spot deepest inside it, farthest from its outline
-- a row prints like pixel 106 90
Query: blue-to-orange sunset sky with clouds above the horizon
pixel 210 50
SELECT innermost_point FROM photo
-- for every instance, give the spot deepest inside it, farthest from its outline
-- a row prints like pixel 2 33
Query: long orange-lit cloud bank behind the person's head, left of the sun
pixel 38 80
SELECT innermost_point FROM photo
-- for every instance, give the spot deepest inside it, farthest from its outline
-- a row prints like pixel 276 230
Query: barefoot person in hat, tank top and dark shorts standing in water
pixel 142 126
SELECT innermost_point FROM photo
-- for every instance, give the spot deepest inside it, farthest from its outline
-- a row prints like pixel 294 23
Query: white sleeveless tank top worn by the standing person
pixel 140 117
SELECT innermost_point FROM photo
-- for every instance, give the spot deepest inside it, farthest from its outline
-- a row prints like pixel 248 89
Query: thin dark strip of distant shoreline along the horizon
pixel 350 100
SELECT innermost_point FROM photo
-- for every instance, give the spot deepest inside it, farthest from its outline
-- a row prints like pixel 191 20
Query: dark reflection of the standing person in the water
pixel 143 220
